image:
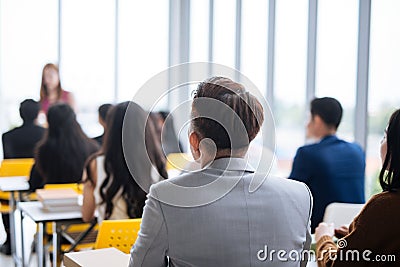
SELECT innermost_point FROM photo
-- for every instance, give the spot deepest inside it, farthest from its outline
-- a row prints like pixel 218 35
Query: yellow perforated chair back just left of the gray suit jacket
pixel 120 234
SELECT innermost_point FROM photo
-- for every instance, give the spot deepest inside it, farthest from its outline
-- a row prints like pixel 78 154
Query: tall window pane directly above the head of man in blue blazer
pixel 337 57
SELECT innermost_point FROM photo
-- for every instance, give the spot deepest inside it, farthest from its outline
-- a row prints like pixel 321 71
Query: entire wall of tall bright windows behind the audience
pixel 109 49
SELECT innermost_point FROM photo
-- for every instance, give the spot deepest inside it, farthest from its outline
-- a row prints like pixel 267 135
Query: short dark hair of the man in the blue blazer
pixel 328 109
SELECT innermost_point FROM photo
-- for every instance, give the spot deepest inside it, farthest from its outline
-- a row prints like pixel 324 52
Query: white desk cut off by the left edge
pixel 15 184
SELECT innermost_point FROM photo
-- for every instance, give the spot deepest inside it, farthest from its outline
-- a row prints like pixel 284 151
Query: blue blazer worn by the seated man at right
pixel 334 170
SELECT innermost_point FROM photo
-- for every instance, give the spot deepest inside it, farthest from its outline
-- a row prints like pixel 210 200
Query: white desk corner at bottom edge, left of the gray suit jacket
pixel 99 257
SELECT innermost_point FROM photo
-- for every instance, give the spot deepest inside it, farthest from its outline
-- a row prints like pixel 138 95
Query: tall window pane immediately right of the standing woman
pixel 87 56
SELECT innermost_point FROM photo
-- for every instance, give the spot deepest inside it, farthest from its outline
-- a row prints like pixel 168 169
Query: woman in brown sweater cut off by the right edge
pixel 374 233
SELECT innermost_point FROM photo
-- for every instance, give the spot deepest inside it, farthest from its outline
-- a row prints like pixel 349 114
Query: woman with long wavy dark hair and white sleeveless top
pixel 111 178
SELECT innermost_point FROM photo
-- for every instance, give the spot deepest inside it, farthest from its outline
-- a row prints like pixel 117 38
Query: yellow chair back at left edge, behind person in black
pixel 16 167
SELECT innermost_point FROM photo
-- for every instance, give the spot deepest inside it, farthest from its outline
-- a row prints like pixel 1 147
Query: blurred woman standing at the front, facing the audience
pixel 51 91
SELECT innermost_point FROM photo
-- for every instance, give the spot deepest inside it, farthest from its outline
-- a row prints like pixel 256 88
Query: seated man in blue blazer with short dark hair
pixel 332 168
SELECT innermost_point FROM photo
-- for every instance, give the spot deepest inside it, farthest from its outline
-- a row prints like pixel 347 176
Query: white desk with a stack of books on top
pixel 41 216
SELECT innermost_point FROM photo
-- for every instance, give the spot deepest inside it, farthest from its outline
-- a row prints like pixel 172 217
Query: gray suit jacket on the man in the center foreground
pixel 225 224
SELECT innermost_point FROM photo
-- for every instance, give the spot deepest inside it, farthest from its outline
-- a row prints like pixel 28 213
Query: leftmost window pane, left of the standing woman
pixel 28 40
